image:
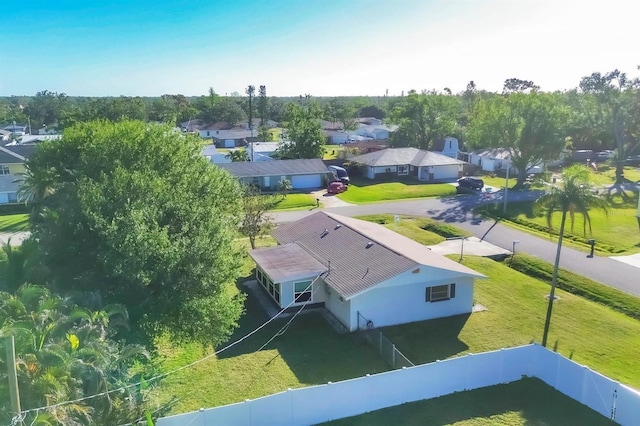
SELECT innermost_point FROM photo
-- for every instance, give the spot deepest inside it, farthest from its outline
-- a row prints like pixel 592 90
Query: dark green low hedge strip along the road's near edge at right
pixel 577 284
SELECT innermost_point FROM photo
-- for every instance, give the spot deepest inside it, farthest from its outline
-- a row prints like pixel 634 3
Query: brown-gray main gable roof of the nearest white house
pixel 360 254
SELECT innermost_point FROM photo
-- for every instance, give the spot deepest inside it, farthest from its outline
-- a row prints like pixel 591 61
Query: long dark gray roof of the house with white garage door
pixel 276 168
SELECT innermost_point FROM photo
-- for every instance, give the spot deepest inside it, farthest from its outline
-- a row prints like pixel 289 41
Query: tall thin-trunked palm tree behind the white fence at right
pixel 575 196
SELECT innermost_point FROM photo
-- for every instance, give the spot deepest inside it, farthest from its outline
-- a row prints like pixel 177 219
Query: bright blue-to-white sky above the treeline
pixel 319 47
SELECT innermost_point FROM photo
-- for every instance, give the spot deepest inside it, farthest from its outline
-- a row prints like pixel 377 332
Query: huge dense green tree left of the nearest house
pixel 138 215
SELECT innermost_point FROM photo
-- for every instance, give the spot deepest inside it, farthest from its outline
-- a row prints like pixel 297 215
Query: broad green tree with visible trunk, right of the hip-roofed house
pixel 530 126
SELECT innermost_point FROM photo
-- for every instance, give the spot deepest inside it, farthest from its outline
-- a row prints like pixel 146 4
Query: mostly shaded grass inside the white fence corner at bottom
pixel 525 402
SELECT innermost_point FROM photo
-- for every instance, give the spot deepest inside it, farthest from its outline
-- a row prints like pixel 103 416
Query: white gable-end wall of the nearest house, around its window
pixel 401 299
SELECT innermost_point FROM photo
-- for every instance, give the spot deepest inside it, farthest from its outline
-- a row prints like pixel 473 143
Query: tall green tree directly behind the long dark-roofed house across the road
pixel 304 132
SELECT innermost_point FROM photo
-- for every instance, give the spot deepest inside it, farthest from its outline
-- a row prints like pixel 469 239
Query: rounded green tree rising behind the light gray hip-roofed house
pixel 423 118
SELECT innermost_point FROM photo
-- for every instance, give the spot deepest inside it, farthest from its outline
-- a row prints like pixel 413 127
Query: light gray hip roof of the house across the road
pixel 402 156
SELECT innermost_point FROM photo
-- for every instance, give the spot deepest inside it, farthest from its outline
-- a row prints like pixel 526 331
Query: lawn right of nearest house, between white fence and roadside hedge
pixel 588 333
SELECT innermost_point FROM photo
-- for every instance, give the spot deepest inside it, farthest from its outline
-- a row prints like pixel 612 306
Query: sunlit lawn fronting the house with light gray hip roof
pixel 363 191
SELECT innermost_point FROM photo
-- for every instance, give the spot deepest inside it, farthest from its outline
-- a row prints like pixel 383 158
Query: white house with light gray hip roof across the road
pixel 425 165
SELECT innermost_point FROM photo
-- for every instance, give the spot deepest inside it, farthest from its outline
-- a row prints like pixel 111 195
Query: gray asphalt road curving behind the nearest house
pixel 458 211
